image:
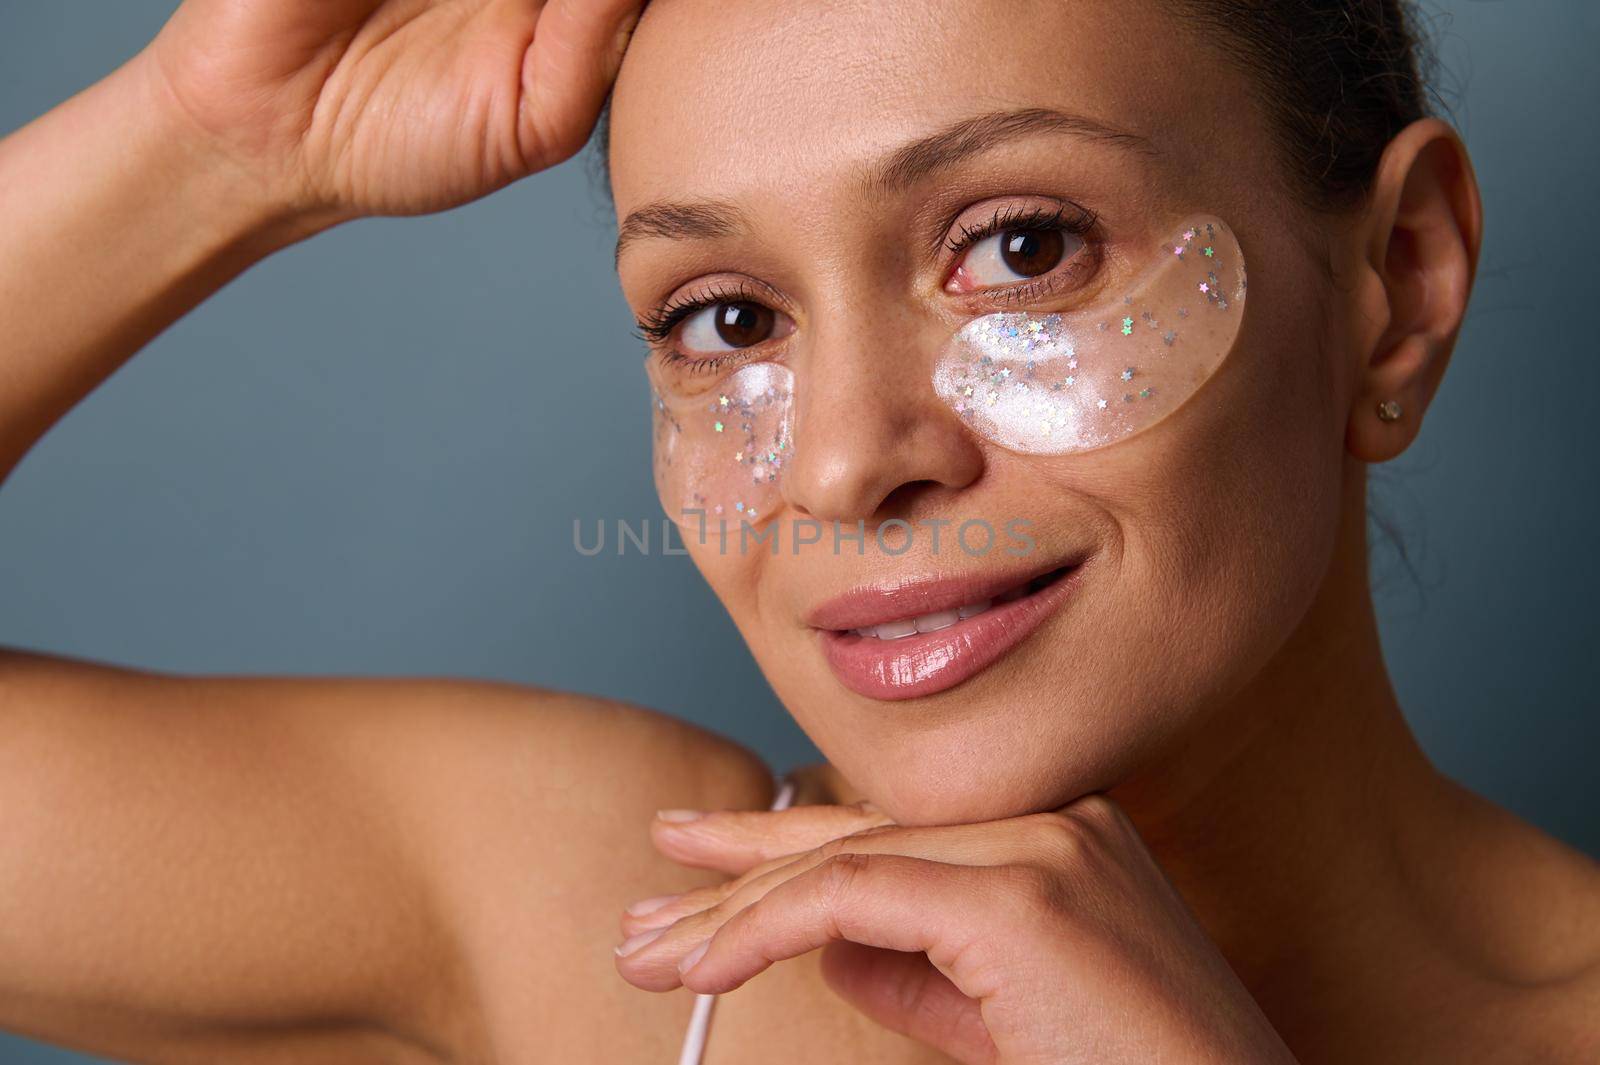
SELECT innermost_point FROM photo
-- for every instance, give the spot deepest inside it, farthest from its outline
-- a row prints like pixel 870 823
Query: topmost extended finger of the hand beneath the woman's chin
pixel 737 842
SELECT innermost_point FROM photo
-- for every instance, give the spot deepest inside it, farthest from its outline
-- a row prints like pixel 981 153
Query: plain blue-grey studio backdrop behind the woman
pixel 361 457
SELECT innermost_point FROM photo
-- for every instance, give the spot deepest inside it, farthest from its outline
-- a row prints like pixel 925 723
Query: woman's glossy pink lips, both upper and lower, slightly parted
pixel 935 661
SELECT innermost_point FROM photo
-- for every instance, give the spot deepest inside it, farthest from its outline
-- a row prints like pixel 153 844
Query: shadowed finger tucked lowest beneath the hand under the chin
pixel 905 994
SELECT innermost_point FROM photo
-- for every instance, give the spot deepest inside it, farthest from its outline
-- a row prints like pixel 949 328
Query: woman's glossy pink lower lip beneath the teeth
pixel 938 661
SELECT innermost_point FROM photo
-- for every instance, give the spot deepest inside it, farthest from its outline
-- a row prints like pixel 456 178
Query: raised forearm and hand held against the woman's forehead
pixel 246 127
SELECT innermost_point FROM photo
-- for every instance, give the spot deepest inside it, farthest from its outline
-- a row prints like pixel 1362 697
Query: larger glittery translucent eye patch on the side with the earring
pixel 1074 381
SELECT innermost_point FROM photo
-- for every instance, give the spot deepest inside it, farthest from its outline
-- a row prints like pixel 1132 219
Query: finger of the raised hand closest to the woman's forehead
pixel 569 70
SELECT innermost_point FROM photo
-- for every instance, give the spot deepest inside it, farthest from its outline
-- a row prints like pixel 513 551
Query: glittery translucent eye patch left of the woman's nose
pixel 721 452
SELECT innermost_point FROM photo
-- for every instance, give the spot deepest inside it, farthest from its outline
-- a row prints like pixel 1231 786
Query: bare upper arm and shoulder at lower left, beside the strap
pixel 433 863
